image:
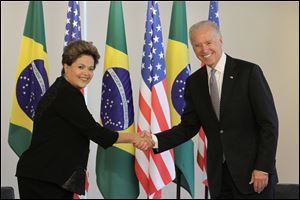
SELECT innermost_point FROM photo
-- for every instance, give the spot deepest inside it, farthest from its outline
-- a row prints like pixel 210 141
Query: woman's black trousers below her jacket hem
pixel 36 189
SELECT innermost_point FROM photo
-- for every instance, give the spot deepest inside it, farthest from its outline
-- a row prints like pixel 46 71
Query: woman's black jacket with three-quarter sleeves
pixel 62 130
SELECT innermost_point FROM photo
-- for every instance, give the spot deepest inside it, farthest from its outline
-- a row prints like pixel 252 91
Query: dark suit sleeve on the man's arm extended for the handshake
pixel 188 127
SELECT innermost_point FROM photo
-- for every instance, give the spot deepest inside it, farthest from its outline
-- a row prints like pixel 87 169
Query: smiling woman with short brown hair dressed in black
pixel 55 163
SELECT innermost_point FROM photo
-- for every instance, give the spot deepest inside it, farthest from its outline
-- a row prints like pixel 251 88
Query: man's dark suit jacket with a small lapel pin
pixel 247 131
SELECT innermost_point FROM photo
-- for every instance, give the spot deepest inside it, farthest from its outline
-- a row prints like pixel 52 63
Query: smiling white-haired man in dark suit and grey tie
pixel 241 127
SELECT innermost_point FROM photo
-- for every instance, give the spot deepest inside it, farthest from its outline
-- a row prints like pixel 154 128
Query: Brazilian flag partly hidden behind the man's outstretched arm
pixel 178 69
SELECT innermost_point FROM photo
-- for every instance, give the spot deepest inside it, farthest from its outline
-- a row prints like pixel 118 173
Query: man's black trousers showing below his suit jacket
pixel 230 191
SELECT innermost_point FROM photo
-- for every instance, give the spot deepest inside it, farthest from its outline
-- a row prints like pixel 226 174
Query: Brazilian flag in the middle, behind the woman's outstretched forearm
pixel 116 177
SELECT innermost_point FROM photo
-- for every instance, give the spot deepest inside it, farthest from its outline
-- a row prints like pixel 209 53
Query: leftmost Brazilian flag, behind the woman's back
pixel 31 80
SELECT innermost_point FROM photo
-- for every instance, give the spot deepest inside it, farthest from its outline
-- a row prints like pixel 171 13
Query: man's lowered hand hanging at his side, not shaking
pixel 259 179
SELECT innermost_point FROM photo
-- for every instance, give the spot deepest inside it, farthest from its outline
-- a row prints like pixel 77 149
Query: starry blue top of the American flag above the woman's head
pixel 73 26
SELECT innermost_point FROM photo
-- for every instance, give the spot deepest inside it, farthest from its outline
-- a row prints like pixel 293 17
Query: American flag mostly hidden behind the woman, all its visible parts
pixel 73 32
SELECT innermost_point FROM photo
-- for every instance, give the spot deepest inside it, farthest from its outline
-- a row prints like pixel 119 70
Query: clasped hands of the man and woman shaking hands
pixel 143 140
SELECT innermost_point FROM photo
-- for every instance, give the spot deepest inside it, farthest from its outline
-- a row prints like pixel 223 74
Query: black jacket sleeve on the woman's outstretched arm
pixel 70 105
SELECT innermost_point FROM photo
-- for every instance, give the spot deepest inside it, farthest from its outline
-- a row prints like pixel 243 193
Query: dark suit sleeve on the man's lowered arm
pixel 266 117
